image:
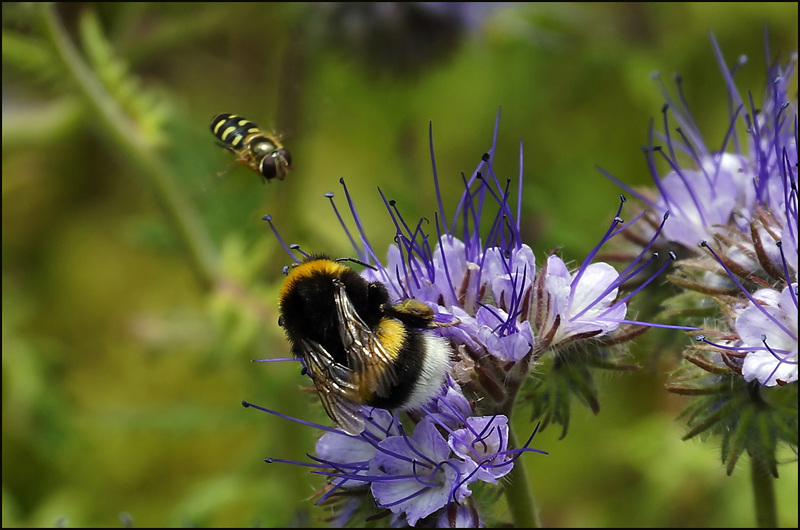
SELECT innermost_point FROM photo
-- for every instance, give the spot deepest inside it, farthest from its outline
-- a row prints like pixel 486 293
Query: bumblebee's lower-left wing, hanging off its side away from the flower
pixel 336 387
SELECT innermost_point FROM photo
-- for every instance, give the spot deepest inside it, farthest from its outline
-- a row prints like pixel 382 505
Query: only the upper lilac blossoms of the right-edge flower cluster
pixel 743 193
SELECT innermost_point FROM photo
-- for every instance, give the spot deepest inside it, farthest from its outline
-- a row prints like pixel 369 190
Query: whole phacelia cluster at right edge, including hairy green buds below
pixel 734 217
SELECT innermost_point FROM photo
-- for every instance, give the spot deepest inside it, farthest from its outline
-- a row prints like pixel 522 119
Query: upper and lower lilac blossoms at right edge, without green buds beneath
pixel 737 204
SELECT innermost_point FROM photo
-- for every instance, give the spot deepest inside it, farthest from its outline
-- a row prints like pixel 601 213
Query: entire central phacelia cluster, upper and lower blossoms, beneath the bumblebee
pixel 502 317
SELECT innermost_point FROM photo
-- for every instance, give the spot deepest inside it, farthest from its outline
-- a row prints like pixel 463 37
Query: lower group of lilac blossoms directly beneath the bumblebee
pixel 413 475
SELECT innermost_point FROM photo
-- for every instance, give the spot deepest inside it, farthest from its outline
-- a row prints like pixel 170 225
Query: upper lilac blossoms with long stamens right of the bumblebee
pixel 510 314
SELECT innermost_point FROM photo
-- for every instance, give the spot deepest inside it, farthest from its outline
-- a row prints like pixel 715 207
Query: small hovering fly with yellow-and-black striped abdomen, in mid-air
pixel 260 151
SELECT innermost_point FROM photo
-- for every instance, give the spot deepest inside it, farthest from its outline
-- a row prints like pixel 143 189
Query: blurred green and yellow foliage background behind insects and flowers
pixel 139 280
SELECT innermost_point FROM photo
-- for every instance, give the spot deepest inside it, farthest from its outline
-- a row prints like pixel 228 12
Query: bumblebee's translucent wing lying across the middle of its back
pixel 366 354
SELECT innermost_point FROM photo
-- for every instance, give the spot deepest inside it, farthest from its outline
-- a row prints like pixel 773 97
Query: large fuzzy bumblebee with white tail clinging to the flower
pixel 358 347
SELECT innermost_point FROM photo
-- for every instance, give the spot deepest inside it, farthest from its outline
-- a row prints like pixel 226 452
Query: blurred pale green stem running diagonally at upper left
pixel 144 160
